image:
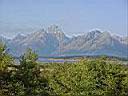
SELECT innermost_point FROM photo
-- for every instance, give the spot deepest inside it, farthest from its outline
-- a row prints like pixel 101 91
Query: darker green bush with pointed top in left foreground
pixel 24 79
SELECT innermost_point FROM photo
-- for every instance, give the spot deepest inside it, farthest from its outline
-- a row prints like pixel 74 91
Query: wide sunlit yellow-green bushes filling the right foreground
pixel 88 78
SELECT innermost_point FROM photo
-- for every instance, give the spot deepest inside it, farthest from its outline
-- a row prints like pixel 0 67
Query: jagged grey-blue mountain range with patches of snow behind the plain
pixel 53 42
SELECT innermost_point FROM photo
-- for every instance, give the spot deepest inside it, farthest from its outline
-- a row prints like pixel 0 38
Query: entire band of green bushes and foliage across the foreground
pixel 88 77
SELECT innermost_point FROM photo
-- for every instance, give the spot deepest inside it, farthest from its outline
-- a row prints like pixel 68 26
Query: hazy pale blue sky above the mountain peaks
pixel 74 16
